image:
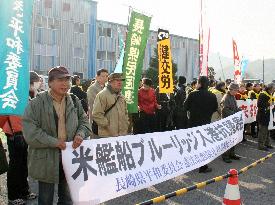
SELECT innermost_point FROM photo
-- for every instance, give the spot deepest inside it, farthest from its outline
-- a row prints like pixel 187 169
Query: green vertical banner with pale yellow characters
pixel 138 32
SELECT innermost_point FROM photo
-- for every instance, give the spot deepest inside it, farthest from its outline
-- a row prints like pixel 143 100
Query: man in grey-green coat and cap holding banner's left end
pixel 51 119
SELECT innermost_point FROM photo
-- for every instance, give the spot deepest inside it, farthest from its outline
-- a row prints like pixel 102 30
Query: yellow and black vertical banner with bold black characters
pixel 166 84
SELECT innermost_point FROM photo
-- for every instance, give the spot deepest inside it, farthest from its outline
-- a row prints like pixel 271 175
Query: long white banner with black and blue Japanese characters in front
pixel 103 169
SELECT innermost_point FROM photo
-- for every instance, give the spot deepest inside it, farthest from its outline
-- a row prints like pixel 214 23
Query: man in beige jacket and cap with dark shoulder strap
pixel 113 122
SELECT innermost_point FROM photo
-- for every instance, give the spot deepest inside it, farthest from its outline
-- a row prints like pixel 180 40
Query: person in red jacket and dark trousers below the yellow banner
pixel 147 105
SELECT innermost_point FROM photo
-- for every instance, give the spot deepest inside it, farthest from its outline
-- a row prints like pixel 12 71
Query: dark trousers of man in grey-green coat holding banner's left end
pixel 46 191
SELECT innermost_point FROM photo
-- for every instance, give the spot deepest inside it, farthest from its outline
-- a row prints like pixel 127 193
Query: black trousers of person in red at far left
pixel 17 175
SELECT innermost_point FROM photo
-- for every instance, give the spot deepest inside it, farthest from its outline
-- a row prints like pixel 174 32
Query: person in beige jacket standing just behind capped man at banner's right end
pixel 219 91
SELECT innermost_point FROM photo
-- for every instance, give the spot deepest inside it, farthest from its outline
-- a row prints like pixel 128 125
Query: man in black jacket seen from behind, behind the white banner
pixel 201 104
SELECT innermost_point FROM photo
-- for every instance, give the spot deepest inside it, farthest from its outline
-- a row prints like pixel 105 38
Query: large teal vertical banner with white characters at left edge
pixel 15 30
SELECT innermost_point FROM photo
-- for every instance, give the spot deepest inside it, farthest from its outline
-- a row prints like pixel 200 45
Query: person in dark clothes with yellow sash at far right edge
pixel 263 116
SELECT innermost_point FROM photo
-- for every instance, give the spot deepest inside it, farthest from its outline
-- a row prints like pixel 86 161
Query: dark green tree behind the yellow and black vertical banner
pixel 152 71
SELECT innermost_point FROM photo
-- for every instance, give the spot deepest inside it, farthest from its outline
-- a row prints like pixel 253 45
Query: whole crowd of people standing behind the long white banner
pixel 66 113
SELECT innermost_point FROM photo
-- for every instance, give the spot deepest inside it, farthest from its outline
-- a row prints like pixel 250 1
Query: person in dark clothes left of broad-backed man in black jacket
pixel 180 96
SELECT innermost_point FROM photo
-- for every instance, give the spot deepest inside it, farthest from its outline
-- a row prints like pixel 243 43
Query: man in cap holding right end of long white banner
pixel 229 107
